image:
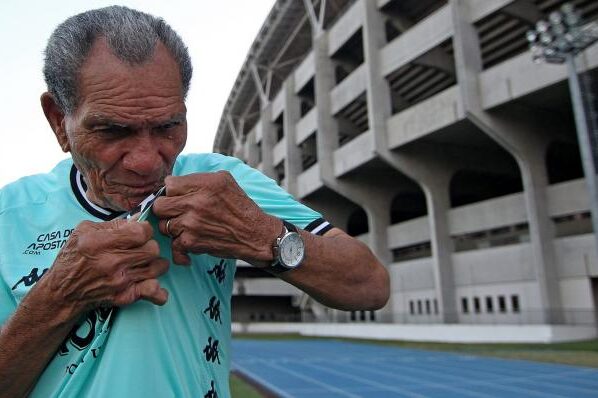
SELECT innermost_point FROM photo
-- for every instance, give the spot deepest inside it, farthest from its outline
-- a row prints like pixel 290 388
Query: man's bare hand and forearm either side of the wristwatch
pixel 210 213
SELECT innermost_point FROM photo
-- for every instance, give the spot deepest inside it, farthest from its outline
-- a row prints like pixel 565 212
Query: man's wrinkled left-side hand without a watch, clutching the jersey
pixel 113 263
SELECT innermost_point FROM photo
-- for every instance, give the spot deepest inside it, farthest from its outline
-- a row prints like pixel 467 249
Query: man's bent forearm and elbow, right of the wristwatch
pixel 341 272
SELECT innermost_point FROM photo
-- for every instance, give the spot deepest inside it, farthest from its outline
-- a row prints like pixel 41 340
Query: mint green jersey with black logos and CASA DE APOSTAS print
pixel 181 349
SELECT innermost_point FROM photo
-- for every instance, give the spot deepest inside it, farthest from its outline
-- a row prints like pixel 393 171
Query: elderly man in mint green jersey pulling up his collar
pixel 96 304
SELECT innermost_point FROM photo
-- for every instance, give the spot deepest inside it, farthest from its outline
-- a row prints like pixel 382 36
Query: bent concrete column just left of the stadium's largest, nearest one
pixel 429 171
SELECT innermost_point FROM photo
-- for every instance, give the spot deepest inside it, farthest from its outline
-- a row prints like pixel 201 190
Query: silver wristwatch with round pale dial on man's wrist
pixel 288 249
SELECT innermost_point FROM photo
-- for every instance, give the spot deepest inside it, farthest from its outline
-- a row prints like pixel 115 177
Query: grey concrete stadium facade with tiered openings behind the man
pixel 423 128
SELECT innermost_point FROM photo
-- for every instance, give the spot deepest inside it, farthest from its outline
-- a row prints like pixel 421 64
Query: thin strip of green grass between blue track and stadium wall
pixel 581 353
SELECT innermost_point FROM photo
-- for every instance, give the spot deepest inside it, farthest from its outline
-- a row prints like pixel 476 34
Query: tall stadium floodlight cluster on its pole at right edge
pixel 557 41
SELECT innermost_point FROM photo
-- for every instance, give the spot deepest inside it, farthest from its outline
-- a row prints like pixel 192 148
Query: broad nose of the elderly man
pixel 143 157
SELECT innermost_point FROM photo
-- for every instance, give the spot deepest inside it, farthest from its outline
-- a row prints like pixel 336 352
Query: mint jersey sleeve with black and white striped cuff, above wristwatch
pixel 275 201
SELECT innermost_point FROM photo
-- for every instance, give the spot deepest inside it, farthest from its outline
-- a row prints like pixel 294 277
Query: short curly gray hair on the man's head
pixel 131 35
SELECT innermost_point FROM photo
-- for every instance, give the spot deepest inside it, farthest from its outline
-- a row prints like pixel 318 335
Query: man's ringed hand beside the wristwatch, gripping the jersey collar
pixel 210 213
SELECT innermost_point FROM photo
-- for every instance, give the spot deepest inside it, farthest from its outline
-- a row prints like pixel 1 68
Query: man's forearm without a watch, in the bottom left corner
pixel 29 339
